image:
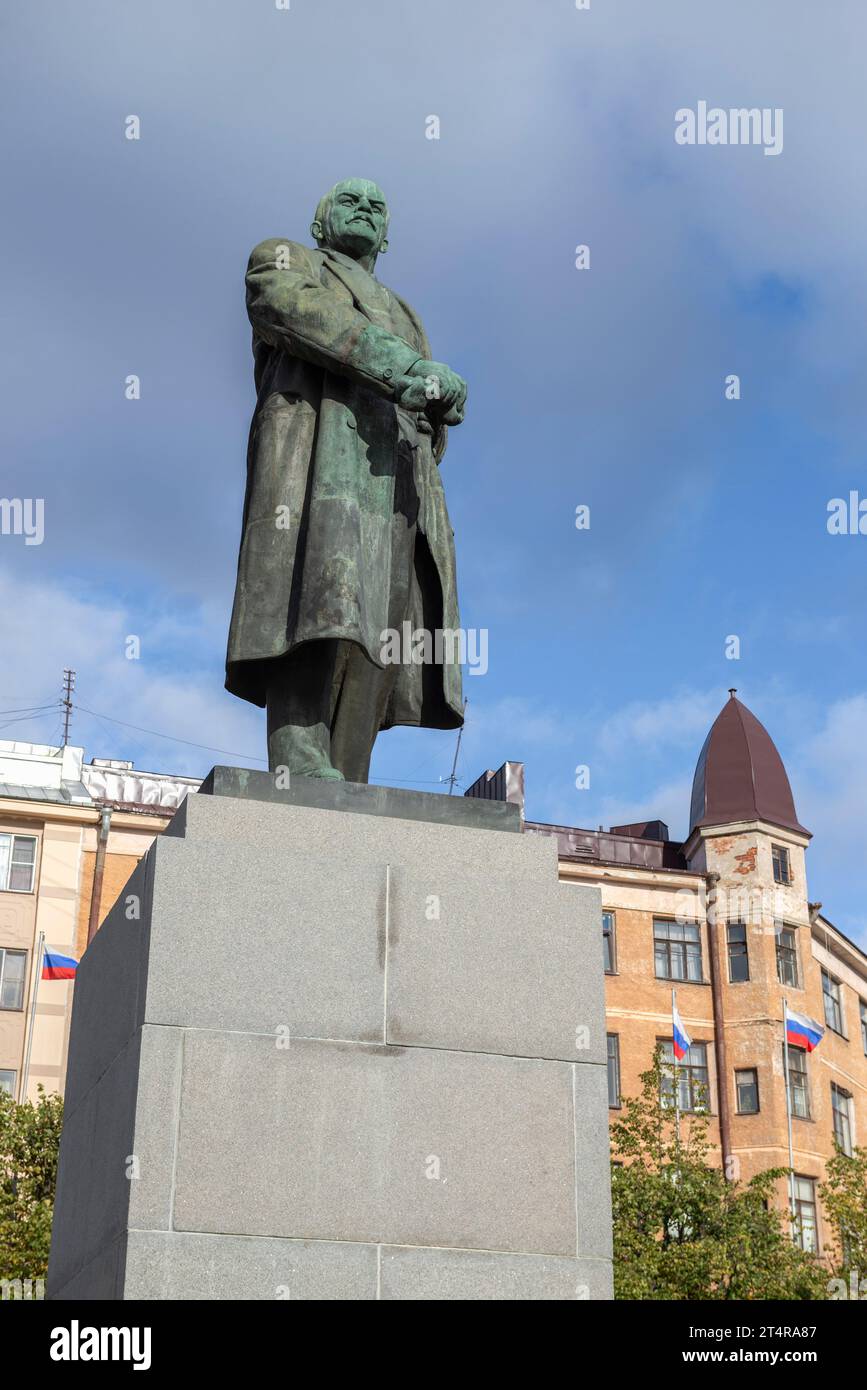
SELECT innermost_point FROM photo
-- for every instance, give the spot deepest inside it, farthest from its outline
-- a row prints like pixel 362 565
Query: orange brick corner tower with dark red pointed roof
pixel 747 839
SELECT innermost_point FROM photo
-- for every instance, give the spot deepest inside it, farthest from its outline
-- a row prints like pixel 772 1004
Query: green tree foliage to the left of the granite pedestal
pixel 30 1140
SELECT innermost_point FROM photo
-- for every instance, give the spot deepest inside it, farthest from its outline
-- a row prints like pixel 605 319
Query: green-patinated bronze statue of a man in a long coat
pixel 347 537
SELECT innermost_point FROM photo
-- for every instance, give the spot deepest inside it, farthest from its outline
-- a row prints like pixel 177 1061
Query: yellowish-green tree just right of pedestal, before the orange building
pixel 682 1231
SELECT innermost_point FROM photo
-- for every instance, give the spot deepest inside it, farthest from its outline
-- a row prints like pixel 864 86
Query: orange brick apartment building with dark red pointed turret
pixel 727 922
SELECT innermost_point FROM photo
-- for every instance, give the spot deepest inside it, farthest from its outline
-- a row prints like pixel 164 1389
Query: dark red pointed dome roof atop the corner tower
pixel 740 775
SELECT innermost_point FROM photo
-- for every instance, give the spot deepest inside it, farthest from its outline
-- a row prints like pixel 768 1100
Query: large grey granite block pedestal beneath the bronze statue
pixel 329 1047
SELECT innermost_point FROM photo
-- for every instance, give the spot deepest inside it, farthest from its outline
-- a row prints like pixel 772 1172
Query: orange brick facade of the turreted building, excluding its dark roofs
pixel 638 1003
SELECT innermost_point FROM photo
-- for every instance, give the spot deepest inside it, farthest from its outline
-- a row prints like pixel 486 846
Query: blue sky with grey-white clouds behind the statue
pixel 602 387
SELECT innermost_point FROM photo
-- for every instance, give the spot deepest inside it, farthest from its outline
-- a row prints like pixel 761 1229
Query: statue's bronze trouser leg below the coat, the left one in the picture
pixel 299 703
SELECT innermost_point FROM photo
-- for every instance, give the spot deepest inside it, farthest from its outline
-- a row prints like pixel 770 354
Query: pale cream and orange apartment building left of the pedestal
pixel 72 833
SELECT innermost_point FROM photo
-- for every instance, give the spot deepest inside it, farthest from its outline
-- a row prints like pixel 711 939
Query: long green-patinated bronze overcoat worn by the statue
pixel 341 482
